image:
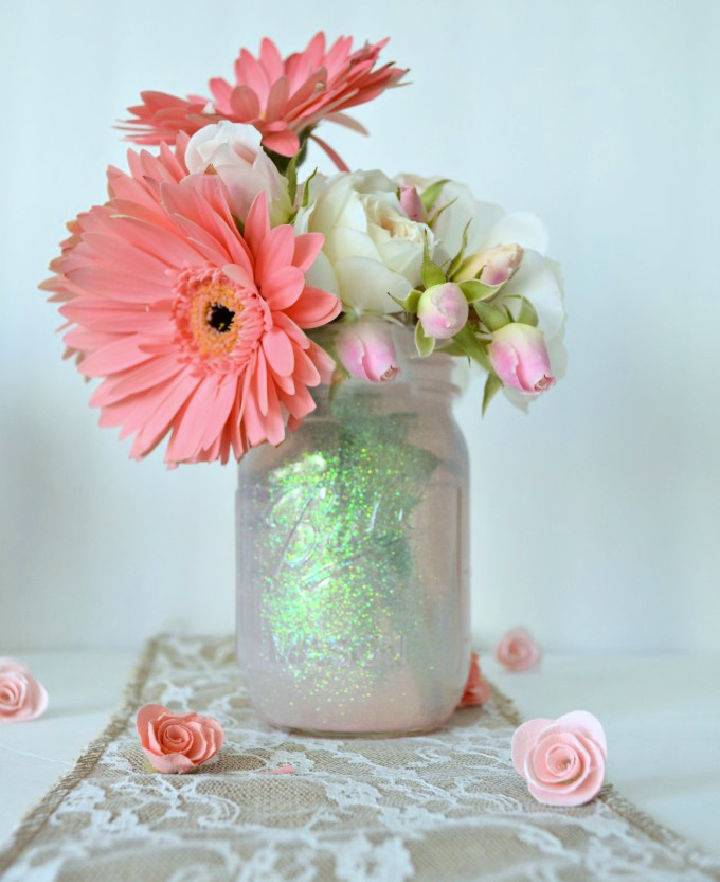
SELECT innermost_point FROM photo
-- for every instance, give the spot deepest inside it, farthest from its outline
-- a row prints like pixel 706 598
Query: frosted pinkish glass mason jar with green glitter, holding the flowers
pixel 352 550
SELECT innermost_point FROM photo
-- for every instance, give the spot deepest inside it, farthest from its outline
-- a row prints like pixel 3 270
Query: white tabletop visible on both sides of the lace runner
pixel 661 714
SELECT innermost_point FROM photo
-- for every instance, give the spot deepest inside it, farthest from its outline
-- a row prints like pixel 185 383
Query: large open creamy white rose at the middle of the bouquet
pixel 374 249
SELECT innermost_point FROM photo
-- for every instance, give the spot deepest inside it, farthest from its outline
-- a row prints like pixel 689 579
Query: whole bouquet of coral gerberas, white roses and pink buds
pixel 196 290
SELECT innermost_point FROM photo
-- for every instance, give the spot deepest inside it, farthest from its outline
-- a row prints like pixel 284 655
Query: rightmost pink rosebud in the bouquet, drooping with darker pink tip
pixel 518 356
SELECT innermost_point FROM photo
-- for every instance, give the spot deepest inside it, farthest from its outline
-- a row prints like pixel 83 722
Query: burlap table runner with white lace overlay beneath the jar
pixel 438 808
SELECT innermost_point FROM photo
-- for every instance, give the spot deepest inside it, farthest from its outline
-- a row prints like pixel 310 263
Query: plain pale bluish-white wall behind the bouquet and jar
pixel 595 518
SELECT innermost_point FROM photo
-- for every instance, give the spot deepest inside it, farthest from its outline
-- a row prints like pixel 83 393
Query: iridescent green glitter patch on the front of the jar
pixel 339 519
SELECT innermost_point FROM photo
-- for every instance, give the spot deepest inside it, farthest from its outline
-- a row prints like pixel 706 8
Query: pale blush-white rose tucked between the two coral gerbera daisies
pixel 234 152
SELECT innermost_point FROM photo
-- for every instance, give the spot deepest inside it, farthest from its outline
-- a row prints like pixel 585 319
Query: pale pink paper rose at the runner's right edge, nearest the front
pixel 563 761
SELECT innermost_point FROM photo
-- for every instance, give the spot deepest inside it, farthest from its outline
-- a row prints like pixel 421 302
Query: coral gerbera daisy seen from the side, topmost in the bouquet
pixel 280 97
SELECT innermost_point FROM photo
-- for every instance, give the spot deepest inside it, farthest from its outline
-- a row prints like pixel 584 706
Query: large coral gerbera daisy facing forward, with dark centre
pixel 197 329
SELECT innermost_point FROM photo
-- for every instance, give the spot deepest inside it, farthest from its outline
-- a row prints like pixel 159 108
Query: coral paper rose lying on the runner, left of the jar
pixel 175 743
